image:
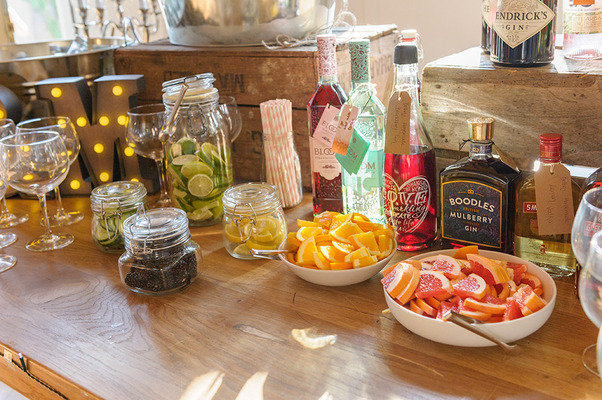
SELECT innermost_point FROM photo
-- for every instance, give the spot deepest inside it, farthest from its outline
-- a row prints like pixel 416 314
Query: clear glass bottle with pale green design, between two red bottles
pixel 364 192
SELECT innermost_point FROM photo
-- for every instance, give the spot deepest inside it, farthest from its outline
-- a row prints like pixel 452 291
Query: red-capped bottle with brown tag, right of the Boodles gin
pixel 551 252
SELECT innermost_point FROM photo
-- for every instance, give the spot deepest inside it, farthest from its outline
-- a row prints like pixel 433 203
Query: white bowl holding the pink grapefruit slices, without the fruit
pixel 508 331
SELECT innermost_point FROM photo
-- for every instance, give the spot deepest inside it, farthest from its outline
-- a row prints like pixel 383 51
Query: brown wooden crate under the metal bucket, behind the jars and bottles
pixel 256 74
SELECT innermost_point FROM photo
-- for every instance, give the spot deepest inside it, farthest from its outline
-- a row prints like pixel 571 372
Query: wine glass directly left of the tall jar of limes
pixel 142 135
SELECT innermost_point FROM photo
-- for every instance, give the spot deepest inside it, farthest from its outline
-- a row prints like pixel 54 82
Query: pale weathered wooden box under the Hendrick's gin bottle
pixel 564 97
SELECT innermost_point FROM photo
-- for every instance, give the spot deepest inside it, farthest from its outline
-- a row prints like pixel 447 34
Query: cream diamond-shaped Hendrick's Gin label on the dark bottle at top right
pixel 518 20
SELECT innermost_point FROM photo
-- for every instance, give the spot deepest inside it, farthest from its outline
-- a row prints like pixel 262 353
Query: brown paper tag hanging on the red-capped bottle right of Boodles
pixel 554 198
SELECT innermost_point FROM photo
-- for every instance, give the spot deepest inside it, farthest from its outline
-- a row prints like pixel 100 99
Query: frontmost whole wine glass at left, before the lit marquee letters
pixel 36 162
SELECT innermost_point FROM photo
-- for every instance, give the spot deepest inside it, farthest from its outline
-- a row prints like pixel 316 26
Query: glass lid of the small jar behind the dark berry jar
pixel 115 196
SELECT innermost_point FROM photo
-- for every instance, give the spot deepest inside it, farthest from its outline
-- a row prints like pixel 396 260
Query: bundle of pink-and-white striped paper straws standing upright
pixel 282 168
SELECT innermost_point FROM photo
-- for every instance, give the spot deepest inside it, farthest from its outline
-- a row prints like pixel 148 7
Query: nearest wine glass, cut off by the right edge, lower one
pixel 590 295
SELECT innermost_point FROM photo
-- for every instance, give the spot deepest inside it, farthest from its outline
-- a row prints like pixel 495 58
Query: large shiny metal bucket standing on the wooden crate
pixel 229 22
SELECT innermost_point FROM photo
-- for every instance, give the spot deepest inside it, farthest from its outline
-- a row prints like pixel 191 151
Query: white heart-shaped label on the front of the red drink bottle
pixel 407 206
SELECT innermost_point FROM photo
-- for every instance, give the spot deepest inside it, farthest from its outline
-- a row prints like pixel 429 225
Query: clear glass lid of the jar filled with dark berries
pixel 158 229
